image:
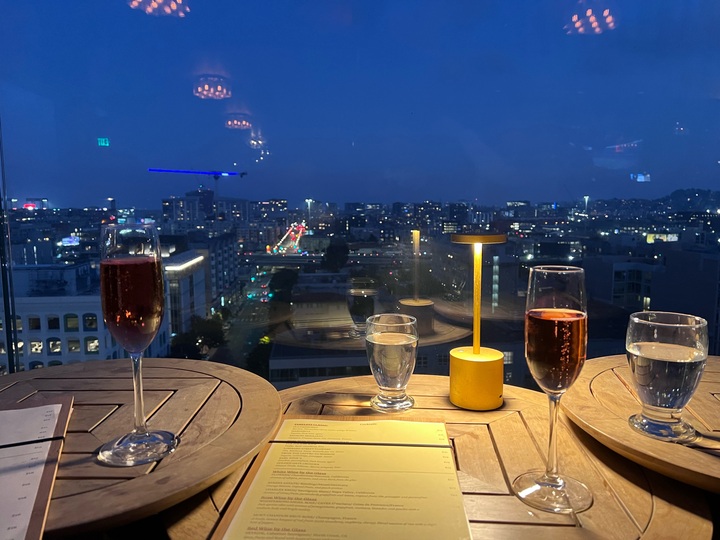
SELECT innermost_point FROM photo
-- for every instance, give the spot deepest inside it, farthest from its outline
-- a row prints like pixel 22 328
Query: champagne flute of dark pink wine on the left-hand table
pixel 133 302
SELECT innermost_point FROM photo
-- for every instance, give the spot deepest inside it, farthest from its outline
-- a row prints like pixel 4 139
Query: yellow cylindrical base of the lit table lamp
pixel 476 380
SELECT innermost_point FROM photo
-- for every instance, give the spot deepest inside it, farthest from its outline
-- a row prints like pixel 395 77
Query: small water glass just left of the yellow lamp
pixel 391 343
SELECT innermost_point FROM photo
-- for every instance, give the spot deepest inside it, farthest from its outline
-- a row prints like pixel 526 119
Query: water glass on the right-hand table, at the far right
pixel 667 353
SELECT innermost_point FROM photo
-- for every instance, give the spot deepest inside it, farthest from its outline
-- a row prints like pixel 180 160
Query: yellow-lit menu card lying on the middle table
pixel 341 479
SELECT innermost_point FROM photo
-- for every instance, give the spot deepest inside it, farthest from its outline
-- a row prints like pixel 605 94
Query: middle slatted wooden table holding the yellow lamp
pixel 492 448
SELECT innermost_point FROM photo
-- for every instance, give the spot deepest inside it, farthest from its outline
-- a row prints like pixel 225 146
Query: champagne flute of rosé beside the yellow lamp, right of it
pixel 555 349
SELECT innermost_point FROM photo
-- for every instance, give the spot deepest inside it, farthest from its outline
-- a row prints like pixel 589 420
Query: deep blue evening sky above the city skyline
pixel 373 101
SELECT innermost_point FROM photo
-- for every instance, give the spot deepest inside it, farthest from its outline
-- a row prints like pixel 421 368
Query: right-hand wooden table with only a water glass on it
pixel 603 398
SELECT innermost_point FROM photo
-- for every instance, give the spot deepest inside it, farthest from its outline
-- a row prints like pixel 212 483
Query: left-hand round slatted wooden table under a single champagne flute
pixel 223 415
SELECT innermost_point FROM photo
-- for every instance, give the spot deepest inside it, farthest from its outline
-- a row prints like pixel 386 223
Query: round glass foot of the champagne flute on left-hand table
pixel 138 448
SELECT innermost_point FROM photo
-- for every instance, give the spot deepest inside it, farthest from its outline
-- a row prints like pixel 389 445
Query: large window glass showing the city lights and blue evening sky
pixel 293 145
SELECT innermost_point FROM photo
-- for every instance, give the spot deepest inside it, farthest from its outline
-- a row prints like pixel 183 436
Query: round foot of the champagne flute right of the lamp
pixel 567 496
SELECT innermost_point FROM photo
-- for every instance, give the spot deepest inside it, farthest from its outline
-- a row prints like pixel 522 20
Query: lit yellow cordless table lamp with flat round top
pixel 476 373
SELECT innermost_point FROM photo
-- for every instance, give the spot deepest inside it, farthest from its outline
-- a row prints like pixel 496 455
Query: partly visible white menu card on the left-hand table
pixel 31 440
